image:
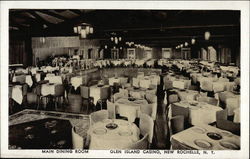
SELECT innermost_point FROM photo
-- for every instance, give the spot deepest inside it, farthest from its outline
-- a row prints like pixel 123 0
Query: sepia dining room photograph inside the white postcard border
pixel 105 79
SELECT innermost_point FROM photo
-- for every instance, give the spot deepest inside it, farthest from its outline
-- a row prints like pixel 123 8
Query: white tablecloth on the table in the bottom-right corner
pixel 188 136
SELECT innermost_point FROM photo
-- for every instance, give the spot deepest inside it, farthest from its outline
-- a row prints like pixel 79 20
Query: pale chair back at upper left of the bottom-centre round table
pixel 99 115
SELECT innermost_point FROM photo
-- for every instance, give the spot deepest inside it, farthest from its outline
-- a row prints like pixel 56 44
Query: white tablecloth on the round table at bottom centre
pixel 113 139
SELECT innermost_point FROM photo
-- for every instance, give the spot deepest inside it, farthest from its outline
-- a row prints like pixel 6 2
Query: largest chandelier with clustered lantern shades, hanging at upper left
pixel 83 30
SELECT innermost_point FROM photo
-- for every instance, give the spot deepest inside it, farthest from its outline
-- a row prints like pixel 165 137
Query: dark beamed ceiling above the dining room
pixel 154 28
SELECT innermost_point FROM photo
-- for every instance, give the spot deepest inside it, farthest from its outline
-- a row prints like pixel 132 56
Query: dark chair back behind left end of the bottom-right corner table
pixel 176 124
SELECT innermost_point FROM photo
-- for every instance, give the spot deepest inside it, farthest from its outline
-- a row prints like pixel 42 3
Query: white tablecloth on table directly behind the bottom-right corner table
pixel 201 114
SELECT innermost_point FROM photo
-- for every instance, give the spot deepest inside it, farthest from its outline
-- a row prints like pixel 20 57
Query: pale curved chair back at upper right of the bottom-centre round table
pixel 146 126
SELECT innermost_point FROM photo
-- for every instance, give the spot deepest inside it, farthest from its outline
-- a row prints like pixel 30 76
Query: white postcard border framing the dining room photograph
pixel 200 5
